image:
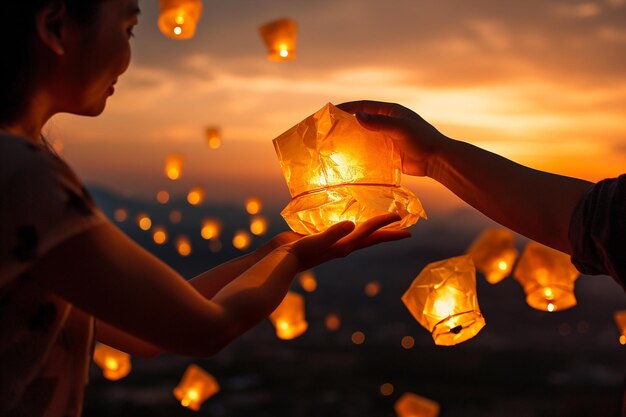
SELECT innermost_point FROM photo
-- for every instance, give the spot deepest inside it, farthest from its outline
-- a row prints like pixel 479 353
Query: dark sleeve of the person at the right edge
pixel 597 231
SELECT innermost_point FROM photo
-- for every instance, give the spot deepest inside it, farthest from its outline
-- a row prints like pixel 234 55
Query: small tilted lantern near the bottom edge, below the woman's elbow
pixel 195 387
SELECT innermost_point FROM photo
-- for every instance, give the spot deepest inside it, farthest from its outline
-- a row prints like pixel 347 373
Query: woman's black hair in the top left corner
pixel 18 37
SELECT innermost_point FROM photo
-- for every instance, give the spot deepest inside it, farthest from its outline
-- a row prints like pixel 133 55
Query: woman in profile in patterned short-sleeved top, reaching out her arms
pixel 64 268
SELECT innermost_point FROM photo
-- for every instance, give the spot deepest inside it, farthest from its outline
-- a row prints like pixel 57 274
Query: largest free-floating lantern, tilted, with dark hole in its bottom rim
pixel 442 298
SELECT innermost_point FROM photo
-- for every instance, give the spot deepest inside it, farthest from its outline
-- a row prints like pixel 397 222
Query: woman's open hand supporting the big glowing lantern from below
pixel 342 239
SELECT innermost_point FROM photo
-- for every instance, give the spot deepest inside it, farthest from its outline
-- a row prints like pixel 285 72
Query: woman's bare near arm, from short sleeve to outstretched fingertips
pixel 147 306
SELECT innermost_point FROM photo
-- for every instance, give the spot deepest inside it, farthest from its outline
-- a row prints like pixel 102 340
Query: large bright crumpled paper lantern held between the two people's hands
pixel 337 170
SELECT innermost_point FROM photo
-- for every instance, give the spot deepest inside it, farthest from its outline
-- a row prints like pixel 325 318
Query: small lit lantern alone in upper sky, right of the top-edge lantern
pixel 280 38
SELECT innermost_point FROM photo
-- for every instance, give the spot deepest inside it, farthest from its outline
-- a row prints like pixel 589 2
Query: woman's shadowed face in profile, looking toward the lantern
pixel 95 55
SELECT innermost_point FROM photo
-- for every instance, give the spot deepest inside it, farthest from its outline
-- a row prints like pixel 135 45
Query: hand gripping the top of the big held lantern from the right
pixel 417 139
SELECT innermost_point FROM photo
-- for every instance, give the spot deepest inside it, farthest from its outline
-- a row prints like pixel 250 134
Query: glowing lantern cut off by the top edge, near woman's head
pixel 178 18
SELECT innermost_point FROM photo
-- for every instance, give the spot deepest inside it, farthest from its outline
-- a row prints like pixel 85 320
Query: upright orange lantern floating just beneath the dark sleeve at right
pixel 547 277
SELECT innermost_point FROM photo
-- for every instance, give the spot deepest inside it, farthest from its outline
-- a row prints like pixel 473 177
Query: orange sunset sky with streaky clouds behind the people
pixel 541 82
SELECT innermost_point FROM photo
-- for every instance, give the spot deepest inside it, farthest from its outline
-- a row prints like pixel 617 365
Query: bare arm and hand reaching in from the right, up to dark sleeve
pixel 536 204
